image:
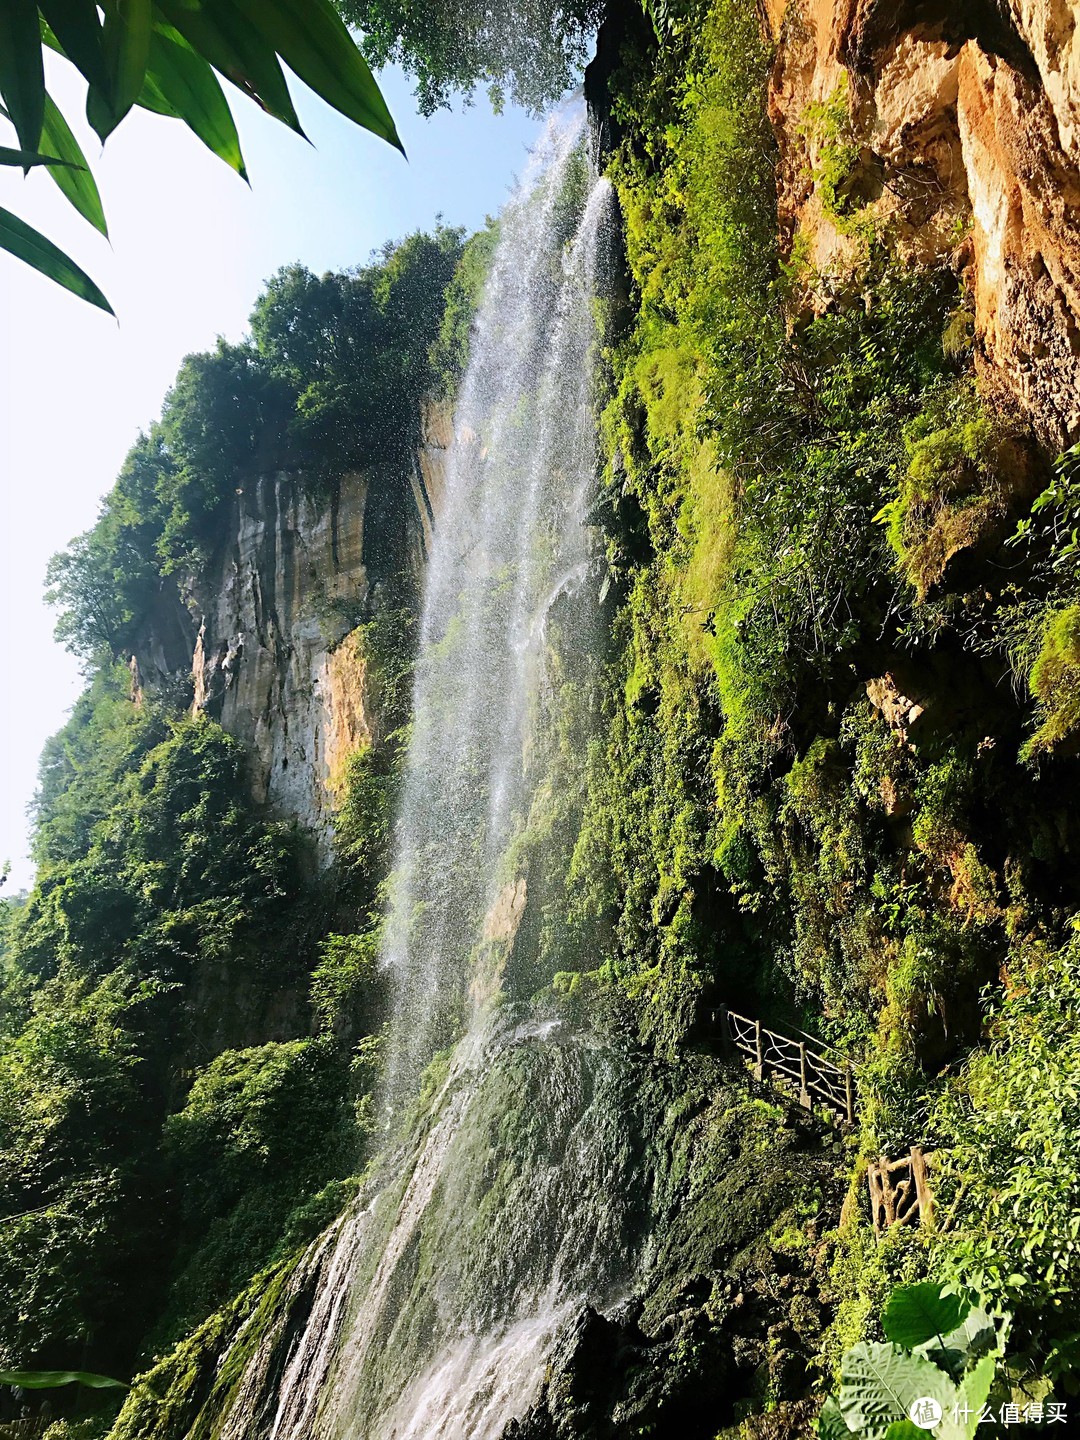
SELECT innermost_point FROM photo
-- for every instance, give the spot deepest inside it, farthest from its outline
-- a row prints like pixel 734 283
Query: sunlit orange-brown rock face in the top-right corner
pixel 963 145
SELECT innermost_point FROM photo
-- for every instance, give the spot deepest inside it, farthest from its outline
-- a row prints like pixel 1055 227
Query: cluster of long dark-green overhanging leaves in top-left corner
pixel 161 55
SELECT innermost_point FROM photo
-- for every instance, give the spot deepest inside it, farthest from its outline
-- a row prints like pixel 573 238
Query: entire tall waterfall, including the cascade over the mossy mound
pixel 499 1209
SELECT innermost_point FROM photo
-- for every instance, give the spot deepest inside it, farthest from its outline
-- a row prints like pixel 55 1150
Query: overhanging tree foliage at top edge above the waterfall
pixel 526 50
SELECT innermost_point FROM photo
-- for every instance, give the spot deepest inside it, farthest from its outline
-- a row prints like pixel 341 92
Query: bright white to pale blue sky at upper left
pixel 191 247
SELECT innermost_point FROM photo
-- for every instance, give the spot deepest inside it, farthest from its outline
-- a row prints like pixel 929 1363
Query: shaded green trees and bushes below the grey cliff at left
pixel 156 1148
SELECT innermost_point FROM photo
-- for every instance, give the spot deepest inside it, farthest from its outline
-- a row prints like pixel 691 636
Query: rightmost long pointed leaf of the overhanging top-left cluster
pixel 313 41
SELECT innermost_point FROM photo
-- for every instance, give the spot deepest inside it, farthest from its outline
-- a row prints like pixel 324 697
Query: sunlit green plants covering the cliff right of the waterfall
pixel 816 793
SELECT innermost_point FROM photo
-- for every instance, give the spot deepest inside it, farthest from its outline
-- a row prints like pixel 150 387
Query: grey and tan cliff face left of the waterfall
pixel 266 634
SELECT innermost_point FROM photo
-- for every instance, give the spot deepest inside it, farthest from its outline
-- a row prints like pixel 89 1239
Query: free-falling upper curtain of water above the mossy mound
pixel 512 539
